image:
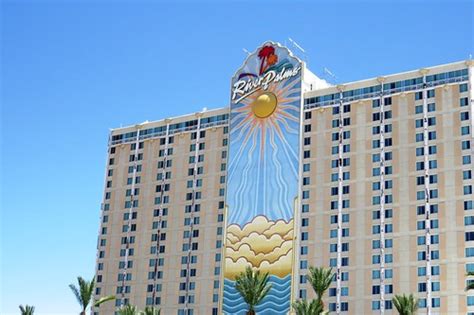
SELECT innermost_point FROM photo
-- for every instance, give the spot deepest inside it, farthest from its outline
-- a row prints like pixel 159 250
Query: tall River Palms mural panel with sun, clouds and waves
pixel 262 185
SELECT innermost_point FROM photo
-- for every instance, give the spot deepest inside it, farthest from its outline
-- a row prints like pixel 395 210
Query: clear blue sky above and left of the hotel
pixel 71 70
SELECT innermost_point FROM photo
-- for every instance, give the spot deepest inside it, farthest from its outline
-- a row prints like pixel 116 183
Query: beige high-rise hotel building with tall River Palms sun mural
pixel 372 178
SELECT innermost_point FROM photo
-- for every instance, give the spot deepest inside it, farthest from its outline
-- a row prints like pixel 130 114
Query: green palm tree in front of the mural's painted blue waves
pixel 253 287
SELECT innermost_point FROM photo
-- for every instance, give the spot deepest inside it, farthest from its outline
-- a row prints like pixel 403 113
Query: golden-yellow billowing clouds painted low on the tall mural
pixel 266 245
